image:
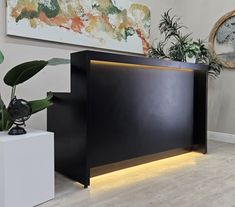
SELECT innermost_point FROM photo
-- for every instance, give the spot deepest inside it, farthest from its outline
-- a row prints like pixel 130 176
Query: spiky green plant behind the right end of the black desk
pixel 181 47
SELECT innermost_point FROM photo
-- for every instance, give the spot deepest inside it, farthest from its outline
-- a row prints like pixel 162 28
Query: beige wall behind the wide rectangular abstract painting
pixel 18 50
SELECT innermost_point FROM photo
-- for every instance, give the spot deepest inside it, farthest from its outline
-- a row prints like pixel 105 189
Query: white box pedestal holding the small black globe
pixel 26 168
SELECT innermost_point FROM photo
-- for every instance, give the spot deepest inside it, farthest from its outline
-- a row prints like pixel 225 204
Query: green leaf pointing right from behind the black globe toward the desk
pixel 39 105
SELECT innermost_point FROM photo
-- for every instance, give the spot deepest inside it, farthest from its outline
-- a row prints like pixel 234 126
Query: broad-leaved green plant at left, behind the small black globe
pixel 18 75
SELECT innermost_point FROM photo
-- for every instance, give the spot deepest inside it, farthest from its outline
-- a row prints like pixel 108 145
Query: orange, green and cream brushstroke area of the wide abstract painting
pixel 91 18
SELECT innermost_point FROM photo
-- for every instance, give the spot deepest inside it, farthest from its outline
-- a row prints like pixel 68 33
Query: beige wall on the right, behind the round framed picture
pixel 200 16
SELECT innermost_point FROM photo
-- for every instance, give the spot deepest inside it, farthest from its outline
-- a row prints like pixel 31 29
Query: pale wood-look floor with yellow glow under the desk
pixel 189 180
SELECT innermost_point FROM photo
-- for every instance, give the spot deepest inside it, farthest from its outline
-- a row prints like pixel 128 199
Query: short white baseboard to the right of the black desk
pixel 221 137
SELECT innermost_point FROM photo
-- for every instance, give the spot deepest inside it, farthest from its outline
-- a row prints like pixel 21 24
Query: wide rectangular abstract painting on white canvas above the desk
pixel 111 24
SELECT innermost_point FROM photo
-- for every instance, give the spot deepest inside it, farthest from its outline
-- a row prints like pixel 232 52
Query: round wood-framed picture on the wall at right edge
pixel 222 39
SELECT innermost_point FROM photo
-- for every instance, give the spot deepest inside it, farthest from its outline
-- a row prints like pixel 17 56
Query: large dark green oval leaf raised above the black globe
pixel 23 72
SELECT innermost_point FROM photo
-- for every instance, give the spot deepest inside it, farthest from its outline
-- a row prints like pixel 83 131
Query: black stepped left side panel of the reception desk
pixel 68 118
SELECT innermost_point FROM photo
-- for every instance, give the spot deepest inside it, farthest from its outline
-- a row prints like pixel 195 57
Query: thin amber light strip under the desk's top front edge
pixel 117 64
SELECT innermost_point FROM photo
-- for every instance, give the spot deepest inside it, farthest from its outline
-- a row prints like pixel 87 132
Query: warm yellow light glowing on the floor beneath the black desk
pixel 136 175
